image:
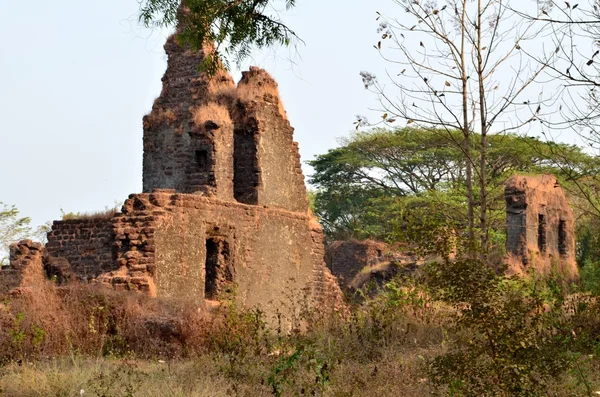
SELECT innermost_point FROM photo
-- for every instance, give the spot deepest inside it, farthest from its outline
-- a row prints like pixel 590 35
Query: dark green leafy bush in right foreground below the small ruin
pixel 510 337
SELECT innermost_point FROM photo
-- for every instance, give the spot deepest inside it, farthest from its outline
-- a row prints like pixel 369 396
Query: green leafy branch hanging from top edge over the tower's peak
pixel 234 26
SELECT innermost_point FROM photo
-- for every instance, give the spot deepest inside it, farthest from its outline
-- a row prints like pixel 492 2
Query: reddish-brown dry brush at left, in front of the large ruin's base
pixel 91 319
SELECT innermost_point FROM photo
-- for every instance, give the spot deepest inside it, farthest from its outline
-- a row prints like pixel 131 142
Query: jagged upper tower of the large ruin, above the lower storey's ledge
pixel 207 136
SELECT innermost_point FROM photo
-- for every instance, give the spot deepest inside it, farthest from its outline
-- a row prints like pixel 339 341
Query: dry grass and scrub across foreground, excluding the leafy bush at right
pixel 108 343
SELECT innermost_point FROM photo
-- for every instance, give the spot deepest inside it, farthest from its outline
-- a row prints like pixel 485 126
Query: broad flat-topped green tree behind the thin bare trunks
pixel 408 185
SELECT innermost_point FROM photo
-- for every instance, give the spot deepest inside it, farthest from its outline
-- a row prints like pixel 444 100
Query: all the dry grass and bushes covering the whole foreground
pixel 460 328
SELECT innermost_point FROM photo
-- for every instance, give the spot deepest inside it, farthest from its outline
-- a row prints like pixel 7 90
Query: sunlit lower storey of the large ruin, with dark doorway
pixel 189 247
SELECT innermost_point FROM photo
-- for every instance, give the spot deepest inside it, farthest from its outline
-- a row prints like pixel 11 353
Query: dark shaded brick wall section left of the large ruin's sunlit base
pixel 86 244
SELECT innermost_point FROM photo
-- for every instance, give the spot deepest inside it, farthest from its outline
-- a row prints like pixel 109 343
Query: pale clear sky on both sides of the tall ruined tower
pixel 76 77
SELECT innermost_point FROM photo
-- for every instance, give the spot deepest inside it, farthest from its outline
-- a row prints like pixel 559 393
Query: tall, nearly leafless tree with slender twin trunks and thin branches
pixel 449 65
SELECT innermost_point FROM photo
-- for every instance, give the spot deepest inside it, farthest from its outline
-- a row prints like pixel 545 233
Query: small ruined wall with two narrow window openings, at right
pixel 540 226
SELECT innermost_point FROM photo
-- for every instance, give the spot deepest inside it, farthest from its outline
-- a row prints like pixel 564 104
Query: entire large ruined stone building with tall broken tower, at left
pixel 223 207
